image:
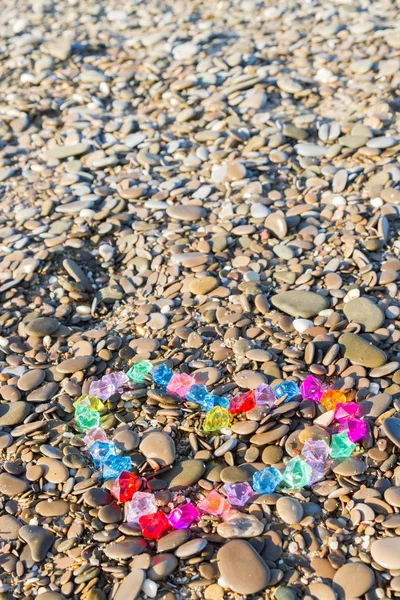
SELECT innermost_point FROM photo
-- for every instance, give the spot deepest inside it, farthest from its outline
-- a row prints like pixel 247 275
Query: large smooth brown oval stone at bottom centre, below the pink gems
pixel 242 569
